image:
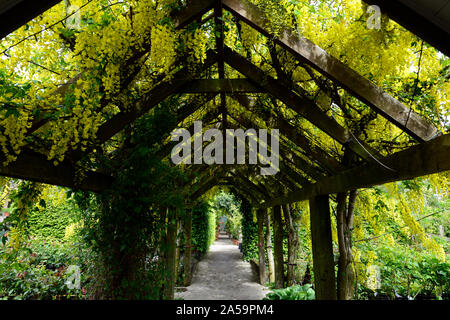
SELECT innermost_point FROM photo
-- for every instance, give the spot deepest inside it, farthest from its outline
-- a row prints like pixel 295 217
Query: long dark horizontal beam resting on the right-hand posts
pixel 423 159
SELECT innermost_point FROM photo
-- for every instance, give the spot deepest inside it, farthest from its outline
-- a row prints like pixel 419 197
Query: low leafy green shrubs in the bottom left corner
pixel 38 271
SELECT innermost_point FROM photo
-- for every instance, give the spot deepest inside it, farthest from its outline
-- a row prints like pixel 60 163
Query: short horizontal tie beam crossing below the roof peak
pixel 220 86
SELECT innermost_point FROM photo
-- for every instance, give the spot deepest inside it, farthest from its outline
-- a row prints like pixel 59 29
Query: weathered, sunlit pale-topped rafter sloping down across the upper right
pixel 363 89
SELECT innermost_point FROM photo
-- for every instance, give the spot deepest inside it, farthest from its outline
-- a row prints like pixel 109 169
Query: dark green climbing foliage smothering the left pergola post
pixel 125 224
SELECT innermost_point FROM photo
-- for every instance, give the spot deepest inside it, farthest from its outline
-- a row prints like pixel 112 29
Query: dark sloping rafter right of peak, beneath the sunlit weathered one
pixel 302 106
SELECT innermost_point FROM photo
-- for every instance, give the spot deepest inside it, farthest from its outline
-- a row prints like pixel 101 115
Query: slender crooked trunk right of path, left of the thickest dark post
pixel 293 243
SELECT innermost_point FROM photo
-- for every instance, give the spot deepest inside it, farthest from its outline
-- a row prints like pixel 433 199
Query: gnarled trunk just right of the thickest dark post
pixel 346 276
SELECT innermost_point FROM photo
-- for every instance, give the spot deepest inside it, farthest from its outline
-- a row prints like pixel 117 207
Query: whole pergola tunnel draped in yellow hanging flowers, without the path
pixel 342 193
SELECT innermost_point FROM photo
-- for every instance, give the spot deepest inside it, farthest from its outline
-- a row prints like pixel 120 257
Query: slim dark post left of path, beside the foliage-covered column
pixel 171 242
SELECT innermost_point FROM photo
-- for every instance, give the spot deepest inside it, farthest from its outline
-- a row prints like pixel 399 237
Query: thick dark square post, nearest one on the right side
pixel 322 247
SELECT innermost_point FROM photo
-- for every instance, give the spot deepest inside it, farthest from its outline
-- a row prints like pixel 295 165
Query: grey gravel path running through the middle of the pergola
pixel 222 275
